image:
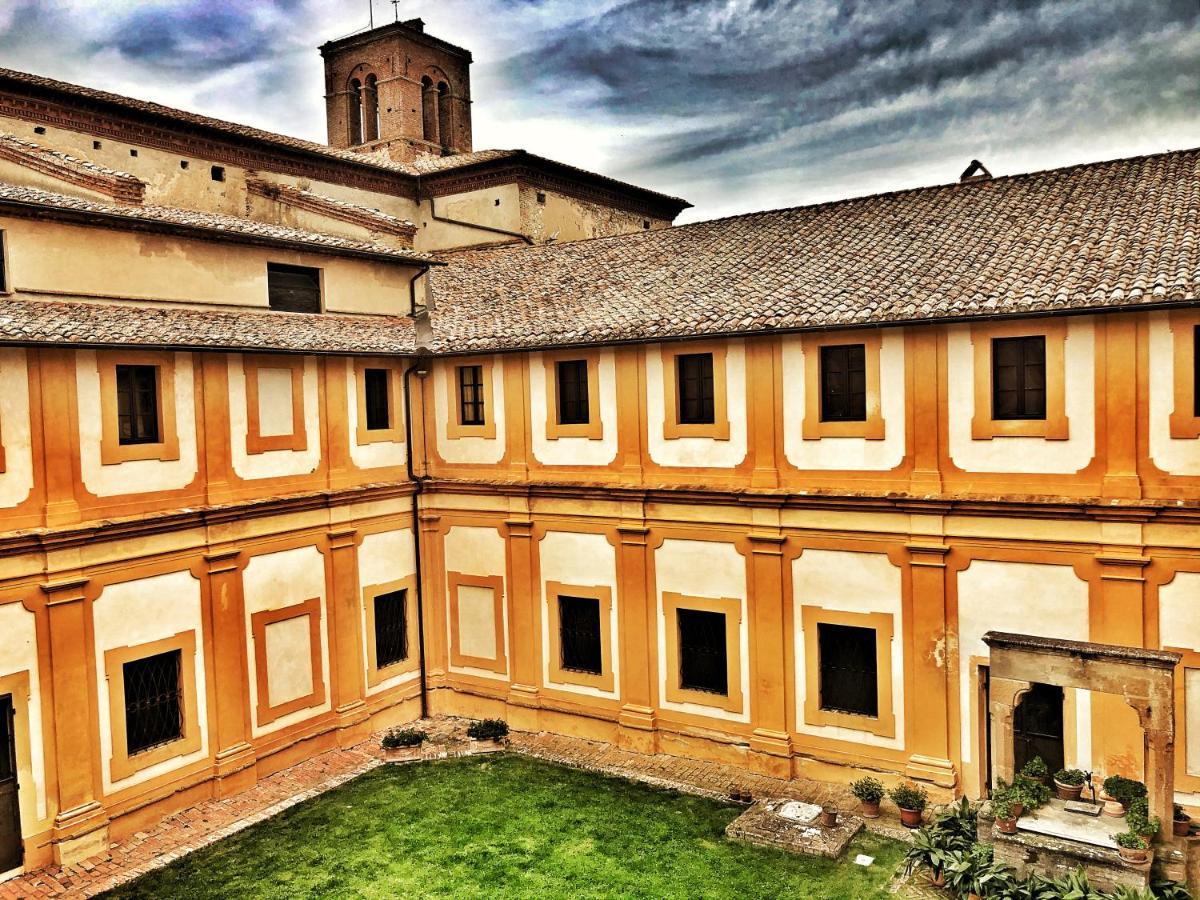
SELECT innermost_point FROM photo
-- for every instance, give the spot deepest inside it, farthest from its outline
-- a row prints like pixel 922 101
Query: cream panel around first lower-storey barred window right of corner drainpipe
pixel 587 561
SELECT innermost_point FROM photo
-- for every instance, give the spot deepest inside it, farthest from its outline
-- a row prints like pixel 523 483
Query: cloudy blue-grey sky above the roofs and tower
pixel 735 105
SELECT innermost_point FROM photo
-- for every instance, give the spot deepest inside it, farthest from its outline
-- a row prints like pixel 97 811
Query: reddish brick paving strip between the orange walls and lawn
pixel 214 820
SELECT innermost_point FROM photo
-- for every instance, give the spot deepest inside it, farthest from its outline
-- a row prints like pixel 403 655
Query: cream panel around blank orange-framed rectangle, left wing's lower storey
pixel 273 581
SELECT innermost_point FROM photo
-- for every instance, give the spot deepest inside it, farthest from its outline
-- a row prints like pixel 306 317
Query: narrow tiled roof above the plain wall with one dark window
pixel 19 199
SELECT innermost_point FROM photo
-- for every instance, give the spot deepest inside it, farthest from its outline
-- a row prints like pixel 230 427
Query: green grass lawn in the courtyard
pixel 507 826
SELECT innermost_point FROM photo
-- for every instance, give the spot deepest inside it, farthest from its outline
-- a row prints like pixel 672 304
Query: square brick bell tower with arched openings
pixel 400 91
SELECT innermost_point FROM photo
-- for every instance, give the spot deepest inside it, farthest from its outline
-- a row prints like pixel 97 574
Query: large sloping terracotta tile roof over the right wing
pixel 1102 236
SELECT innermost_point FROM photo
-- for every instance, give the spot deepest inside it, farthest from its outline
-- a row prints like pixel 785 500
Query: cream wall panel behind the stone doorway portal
pixel 1027 598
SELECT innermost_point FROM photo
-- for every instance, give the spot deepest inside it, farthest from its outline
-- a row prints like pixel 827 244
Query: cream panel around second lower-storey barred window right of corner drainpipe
pixel 707 569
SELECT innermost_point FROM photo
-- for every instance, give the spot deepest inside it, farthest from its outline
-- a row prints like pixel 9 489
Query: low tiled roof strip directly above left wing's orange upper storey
pixel 119 325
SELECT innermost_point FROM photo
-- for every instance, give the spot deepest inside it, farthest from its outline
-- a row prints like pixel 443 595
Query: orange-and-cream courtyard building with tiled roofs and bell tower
pixel 299 442
